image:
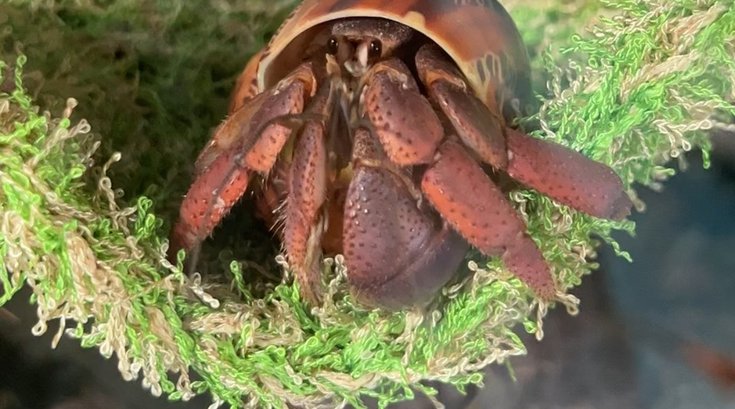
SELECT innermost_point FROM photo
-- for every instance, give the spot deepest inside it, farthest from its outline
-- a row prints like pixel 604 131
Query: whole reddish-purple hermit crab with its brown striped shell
pixel 382 130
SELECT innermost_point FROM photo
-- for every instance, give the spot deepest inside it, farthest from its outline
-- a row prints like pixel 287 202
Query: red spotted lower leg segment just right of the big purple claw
pixel 468 200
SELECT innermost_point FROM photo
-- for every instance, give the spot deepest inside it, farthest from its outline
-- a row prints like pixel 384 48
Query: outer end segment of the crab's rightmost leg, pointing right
pixel 567 176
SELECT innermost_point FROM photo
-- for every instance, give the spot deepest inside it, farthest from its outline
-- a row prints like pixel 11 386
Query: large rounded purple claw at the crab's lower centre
pixel 397 253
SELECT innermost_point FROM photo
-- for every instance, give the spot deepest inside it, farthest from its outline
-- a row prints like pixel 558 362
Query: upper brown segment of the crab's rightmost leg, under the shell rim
pixel 479 128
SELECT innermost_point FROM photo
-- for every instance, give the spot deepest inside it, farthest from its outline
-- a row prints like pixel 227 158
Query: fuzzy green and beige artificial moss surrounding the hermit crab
pixel 631 83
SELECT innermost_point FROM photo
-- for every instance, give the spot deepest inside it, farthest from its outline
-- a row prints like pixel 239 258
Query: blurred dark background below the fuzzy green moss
pixel 657 333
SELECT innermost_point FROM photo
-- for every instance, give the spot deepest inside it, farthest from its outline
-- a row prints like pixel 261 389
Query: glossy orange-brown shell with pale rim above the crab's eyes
pixel 478 35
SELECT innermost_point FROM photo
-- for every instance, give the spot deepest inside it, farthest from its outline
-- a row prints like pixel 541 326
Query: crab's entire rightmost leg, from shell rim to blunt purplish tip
pixel 552 169
